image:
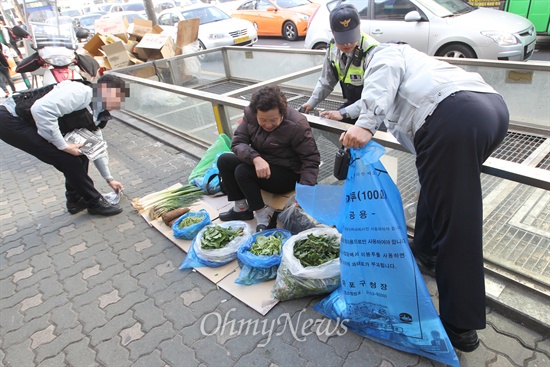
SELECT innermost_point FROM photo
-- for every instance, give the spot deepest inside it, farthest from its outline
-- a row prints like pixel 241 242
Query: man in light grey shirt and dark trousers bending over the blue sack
pixel 452 120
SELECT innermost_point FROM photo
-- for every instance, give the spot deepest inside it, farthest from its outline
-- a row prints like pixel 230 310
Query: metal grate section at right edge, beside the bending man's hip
pixel 517 147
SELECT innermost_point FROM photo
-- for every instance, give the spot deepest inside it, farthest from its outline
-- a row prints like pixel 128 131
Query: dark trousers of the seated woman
pixel 240 181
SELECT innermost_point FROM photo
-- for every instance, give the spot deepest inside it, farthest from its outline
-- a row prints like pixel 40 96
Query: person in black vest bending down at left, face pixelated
pixel 68 106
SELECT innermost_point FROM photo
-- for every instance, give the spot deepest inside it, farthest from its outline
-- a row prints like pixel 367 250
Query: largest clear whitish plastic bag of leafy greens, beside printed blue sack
pixel 310 264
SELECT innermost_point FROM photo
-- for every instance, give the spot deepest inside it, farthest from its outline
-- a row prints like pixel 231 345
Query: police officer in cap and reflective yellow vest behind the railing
pixel 344 64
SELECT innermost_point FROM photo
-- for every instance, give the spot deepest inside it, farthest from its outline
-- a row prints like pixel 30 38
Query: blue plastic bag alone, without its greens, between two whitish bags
pixel 259 268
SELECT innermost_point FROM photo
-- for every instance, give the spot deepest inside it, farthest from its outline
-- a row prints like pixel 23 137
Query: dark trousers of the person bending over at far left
pixel 23 135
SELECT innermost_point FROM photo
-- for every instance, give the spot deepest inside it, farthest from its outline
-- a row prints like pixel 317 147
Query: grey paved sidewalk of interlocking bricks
pixel 78 290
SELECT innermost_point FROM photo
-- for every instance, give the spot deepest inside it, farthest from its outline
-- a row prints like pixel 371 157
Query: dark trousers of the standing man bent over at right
pixel 451 146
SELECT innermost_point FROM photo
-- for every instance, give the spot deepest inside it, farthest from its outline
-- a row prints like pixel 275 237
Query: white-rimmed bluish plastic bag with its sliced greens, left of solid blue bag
pixel 217 244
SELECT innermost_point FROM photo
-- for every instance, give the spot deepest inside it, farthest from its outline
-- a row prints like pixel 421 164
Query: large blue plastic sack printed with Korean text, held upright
pixel 382 293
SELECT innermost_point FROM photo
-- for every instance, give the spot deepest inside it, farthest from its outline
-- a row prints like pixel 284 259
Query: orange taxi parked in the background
pixel 287 18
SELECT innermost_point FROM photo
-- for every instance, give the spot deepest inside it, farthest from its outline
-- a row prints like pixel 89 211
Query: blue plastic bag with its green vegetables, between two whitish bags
pixel 260 256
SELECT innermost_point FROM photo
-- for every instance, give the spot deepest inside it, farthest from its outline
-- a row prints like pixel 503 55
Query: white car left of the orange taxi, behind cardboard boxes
pixel 216 28
